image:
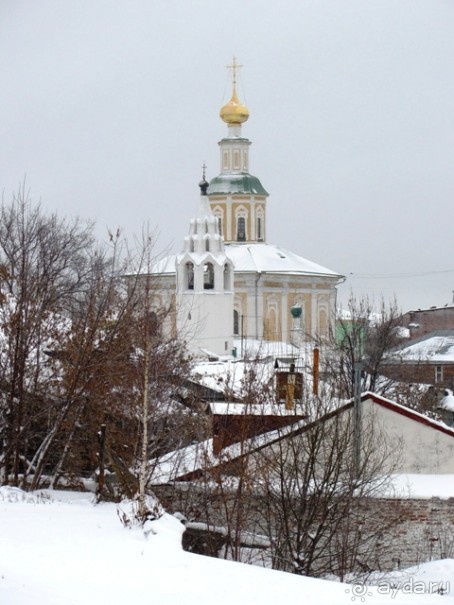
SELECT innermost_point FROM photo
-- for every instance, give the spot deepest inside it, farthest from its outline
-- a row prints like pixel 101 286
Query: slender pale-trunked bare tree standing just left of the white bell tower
pixel 157 367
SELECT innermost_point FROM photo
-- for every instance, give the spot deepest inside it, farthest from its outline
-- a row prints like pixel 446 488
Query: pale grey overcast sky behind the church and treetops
pixel 109 108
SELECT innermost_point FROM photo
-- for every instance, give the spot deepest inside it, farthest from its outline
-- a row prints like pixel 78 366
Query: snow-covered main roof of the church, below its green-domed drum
pixel 260 258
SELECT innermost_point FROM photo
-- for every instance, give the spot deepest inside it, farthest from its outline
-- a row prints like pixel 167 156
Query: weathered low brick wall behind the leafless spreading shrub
pixel 418 530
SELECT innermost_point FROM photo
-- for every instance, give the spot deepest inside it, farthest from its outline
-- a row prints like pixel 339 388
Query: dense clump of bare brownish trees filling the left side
pixel 81 346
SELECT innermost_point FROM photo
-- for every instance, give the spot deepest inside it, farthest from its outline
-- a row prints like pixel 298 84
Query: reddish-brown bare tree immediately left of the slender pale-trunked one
pixel 89 360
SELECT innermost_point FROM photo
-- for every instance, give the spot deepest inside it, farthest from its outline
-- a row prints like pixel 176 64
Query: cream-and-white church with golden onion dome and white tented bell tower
pixel 228 282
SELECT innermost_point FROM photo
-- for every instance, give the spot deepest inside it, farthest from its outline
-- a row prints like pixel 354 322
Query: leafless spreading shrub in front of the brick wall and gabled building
pixel 315 509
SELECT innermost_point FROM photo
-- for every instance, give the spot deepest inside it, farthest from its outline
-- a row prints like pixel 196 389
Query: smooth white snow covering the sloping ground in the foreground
pixel 66 551
